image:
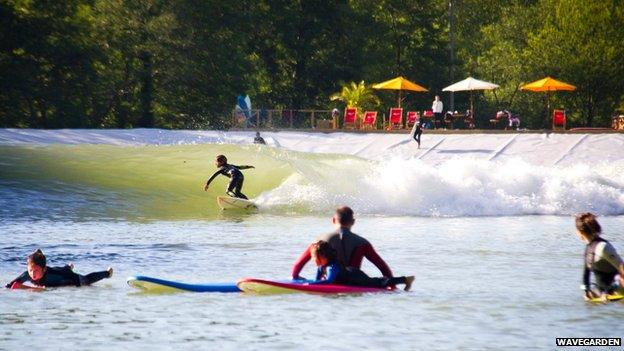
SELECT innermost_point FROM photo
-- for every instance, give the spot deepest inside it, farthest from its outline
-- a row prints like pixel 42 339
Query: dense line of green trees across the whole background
pixel 181 63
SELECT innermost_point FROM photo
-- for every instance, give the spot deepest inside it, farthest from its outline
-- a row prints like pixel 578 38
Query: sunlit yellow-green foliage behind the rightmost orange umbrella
pixel 576 41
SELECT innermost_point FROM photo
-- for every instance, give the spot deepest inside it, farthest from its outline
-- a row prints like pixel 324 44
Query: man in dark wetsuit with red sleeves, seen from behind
pixel 350 247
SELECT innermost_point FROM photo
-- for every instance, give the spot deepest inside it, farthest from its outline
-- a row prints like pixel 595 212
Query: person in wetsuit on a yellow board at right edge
pixel 601 259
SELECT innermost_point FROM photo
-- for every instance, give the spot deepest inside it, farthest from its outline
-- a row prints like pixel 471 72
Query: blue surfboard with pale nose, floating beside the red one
pixel 155 285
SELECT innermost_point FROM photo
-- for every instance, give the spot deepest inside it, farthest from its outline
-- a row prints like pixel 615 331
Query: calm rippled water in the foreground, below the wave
pixel 482 283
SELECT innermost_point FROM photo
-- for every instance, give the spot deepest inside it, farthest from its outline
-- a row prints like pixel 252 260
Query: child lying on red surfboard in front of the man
pixel 331 271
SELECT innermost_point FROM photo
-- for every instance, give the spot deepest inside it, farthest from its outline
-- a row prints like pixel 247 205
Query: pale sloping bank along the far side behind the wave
pixel 537 149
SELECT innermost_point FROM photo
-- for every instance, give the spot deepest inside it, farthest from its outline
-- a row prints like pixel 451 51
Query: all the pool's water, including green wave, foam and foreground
pixel 492 246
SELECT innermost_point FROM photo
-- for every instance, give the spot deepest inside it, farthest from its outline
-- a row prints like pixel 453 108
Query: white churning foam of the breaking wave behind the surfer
pixel 455 187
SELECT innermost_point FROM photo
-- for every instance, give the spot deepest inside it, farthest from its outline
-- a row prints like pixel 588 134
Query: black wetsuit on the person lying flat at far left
pixel 61 276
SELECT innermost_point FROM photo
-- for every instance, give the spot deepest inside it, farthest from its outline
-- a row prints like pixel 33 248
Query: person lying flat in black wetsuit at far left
pixel 39 274
